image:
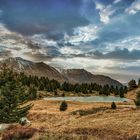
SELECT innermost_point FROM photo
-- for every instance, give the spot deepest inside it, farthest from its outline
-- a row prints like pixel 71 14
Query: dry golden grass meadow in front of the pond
pixel 123 123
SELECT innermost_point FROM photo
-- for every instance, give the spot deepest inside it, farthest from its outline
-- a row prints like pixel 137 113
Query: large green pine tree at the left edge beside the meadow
pixel 11 103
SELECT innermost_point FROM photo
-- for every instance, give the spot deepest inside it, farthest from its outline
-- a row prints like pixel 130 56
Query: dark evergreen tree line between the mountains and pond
pixel 45 84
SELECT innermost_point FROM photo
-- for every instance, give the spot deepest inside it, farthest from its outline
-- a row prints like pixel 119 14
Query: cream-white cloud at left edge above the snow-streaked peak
pixel 13 42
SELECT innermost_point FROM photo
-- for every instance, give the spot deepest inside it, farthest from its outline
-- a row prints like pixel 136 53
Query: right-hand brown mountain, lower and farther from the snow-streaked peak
pixel 83 76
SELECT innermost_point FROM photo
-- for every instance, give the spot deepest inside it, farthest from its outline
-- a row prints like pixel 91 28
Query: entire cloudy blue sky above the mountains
pixel 101 36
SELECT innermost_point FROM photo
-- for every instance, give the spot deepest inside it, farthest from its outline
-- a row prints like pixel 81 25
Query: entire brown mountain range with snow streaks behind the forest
pixel 70 75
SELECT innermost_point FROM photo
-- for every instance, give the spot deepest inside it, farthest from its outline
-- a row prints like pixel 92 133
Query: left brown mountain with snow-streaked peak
pixel 31 68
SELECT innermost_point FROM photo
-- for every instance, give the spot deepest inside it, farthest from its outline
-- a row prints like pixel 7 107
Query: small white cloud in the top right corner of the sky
pixel 134 8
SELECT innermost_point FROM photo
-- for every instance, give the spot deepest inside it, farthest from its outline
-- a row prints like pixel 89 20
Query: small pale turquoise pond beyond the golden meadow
pixel 89 99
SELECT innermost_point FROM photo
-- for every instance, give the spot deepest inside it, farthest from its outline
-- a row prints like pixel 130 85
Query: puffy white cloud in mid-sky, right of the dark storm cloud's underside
pixel 82 34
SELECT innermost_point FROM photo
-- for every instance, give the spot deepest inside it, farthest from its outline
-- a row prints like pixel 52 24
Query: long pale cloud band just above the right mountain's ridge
pixel 82 62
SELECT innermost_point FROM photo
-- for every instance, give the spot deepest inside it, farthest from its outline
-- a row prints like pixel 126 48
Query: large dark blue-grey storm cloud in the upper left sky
pixel 39 16
